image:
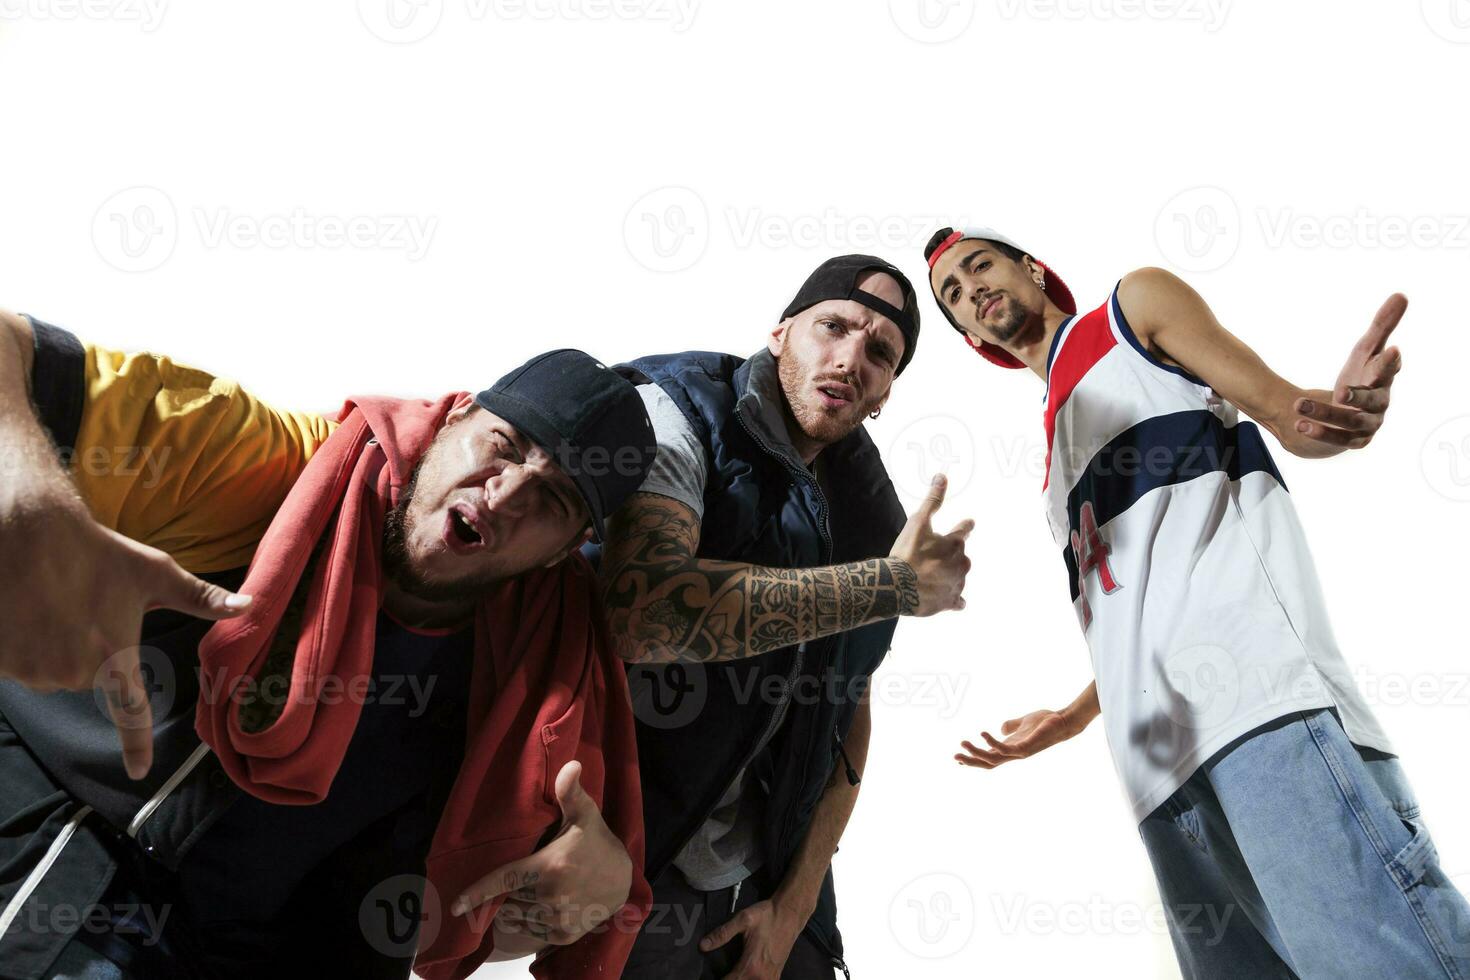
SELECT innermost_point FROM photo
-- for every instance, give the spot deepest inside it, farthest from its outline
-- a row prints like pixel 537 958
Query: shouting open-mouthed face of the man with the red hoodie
pixel 486 505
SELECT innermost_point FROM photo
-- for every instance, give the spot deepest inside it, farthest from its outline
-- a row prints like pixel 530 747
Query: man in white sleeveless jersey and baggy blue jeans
pixel 1284 837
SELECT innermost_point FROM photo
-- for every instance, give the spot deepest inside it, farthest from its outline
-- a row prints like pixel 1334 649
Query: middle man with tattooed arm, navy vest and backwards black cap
pixel 756 580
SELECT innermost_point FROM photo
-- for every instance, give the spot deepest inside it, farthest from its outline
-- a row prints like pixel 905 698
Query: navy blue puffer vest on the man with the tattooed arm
pixel 764 506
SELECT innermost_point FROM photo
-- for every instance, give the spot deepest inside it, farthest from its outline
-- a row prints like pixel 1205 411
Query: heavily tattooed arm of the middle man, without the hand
pixel 665 605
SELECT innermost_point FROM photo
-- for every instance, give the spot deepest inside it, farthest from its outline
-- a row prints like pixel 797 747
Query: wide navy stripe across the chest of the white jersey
pixel 1164 452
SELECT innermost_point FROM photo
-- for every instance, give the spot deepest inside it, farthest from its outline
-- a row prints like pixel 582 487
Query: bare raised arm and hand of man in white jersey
pixel 1175 321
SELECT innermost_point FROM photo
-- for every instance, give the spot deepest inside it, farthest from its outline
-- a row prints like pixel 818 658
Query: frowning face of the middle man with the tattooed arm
pixel 837 364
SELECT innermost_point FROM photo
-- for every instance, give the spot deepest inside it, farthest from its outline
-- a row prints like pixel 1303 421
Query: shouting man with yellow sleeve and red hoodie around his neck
pixel 405 737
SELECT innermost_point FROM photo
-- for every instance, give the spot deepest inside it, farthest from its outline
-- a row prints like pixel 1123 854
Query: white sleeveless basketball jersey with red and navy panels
pixel 1190 572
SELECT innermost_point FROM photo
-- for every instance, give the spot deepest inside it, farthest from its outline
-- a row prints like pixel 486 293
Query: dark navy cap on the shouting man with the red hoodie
pixel 587 417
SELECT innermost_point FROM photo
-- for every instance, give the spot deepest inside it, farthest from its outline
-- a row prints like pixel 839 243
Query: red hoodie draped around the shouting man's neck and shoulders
pixel 546 690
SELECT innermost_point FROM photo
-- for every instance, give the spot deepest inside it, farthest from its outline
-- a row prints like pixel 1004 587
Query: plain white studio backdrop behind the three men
pixel 414 196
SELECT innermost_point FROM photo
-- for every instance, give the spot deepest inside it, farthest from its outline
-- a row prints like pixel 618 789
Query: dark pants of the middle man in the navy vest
pixel 668 947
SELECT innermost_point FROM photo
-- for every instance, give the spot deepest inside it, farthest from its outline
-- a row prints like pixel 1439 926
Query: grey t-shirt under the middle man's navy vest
pixel 727 847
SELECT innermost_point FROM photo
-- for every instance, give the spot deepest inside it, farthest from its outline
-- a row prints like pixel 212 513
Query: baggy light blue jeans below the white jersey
pixel 1294 853
